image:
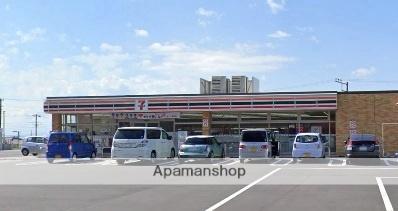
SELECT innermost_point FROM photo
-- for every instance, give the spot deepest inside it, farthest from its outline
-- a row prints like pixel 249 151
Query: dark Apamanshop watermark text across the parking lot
pixel 199 172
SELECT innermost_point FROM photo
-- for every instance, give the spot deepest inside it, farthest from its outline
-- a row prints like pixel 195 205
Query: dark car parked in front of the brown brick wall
pixel 362 145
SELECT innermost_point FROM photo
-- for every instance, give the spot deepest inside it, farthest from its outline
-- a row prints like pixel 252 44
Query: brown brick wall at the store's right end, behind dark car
pixel 368 111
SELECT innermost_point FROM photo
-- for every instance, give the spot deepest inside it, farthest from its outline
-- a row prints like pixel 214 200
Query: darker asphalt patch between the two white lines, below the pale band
pixel 308 197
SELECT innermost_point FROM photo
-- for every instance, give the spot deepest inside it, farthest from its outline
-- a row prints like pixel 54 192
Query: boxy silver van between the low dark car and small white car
pixel 255 143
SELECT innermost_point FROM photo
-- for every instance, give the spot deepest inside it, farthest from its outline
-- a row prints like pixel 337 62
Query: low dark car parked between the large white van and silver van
pixel 201 147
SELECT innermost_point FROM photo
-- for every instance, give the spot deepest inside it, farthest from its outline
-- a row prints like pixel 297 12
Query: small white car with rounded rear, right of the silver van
pixel 308 145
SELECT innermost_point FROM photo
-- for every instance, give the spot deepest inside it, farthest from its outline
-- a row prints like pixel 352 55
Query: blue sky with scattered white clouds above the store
pixel 60 48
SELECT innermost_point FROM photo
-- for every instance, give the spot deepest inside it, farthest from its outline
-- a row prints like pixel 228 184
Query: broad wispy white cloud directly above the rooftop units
pixel 178 58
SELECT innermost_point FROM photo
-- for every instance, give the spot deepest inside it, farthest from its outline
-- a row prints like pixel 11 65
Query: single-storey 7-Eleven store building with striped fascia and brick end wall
pixel 335 114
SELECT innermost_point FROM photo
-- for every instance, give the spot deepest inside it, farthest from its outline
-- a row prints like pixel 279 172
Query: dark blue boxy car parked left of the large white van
pixel 69 145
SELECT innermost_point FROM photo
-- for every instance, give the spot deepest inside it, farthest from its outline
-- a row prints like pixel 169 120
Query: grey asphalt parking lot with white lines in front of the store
pixel 281 184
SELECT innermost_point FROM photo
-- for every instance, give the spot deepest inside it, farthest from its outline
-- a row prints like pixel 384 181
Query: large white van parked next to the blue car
pixel 141 142
